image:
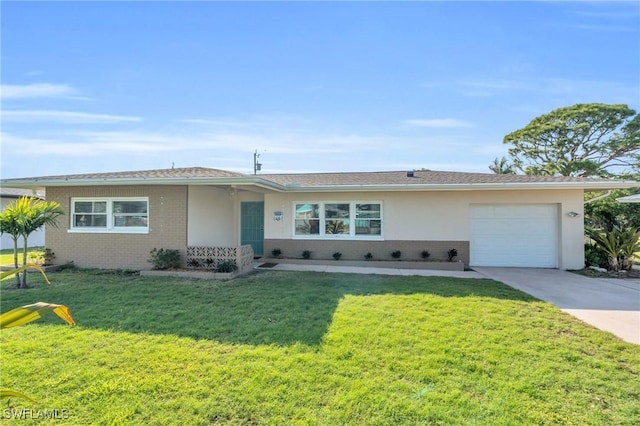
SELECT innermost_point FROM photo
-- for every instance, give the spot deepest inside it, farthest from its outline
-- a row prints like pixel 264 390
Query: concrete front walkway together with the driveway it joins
pixel 609 304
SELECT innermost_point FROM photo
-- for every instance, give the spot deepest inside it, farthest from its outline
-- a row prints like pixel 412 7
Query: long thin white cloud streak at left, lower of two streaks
pixel 64 117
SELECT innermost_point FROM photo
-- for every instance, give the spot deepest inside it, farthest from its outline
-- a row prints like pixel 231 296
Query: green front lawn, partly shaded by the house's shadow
pixel 313 348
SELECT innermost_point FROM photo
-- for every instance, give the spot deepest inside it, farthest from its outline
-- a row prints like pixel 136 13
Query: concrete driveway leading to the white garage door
pixel 609 304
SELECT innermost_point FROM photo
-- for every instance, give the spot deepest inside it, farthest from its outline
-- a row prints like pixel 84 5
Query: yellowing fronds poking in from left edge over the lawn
pixel 26 314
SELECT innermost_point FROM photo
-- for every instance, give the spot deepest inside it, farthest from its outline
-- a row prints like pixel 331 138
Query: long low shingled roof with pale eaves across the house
pixel 317 182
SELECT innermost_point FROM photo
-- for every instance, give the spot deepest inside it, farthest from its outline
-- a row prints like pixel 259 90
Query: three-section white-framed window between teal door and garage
pixel 338 220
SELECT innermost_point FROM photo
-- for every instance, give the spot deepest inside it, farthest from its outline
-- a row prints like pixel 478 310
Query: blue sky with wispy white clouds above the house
pixel 312 86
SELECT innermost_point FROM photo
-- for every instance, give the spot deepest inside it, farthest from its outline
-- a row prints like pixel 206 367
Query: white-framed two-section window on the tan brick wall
pixel 127 215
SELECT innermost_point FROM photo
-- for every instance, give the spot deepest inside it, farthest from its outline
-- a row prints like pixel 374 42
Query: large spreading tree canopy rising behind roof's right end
pixel 580 140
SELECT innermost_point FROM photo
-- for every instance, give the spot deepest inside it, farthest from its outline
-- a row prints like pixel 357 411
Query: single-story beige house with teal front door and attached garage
pixel 115 219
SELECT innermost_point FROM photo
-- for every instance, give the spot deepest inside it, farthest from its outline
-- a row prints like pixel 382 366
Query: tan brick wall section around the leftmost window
pixel 167 228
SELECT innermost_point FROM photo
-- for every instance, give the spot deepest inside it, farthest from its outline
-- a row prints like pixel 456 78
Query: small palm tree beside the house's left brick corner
pixel 21 219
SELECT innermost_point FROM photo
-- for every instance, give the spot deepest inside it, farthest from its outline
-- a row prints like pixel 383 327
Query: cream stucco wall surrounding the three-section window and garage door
pixel 431 217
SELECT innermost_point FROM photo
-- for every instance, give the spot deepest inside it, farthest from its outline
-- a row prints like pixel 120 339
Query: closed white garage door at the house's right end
pixel 514 235
